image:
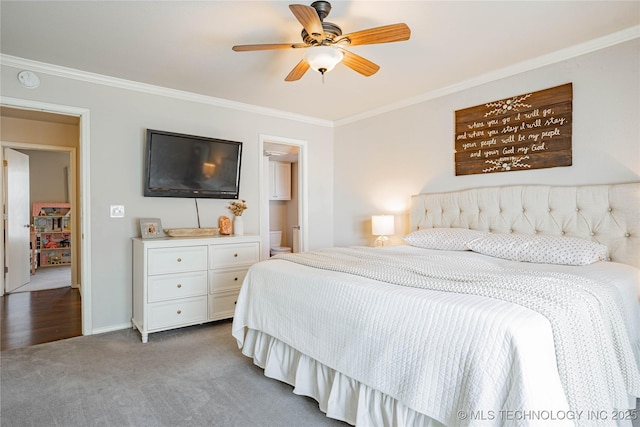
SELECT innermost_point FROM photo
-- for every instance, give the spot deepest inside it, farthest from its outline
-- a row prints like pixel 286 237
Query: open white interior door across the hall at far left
pixel 17 251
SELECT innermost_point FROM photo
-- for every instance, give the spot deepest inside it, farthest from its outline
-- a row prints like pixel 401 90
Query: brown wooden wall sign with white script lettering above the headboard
pixel 530 131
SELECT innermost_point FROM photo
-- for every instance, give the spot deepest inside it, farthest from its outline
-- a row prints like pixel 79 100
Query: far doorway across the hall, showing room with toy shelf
pixel 49 263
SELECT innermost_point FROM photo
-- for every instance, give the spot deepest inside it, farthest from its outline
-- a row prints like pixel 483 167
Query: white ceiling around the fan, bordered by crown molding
pixel 186 45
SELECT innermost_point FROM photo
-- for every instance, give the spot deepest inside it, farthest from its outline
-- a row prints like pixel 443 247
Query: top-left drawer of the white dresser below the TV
pixel 175 260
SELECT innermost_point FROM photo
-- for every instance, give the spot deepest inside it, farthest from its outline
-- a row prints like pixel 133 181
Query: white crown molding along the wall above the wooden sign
pixel 521 67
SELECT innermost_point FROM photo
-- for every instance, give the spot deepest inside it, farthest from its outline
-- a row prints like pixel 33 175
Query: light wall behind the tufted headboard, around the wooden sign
pixel 383 160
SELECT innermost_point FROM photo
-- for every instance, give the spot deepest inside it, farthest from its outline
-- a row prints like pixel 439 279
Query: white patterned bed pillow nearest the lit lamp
pixel 445 239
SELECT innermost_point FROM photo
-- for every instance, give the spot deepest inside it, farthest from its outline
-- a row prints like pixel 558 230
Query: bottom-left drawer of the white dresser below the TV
pixel 175 313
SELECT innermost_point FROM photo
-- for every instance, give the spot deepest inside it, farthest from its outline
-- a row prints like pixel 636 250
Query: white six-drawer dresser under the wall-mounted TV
pixel 186 281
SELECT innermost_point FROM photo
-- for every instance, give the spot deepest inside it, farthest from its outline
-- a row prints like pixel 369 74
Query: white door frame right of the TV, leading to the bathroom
pixel 303 213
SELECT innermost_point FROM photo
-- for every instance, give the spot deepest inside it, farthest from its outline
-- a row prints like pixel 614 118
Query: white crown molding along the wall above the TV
pixel 71 73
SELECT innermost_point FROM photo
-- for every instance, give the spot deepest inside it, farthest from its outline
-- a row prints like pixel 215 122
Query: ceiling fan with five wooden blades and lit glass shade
pixel 326 43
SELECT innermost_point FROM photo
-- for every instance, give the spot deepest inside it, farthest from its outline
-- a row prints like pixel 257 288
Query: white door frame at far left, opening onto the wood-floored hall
pixel 83 186
